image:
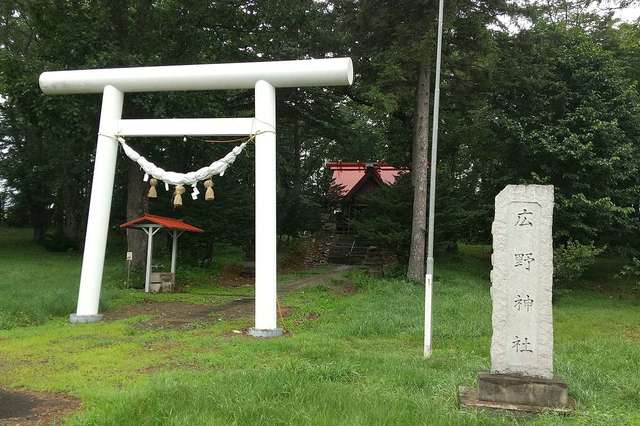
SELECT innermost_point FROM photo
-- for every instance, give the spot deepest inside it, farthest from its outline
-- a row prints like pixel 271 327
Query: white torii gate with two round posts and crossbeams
pixel 263 77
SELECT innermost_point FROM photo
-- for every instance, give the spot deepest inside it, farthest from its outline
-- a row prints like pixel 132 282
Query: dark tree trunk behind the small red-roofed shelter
pixel 137 205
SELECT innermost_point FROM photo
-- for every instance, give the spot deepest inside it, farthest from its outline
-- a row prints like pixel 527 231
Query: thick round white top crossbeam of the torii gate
pixel 311 72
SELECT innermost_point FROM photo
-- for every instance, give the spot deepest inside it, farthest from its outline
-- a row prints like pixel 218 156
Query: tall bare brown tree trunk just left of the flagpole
pixel 419 166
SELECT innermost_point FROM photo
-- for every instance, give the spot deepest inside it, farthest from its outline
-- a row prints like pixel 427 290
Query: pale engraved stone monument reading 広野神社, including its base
pixel 521 376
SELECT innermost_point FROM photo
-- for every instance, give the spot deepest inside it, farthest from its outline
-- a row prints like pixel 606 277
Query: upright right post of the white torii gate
pixel 265 222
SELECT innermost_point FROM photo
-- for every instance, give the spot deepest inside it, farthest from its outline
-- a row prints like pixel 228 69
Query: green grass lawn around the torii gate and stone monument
pixel 352 357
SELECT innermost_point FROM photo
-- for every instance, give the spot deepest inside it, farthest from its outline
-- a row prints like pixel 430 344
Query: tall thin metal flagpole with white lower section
pixel 428 293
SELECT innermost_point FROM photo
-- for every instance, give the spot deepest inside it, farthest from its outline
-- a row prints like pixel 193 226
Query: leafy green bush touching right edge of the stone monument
pixel 572 259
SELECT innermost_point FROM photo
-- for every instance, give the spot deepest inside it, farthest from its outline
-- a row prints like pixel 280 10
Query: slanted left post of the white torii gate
pixel 99 208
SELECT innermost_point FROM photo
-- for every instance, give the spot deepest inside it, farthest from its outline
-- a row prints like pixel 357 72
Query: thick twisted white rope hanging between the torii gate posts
pixel 216 168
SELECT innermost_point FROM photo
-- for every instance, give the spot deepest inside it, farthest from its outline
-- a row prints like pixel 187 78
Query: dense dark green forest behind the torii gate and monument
pixel 532 92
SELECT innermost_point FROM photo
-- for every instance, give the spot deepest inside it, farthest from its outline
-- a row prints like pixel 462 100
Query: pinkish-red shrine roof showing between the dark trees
pixel 348 176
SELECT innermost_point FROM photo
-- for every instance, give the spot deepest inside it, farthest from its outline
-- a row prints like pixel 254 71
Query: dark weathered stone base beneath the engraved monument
pixel 517 393
